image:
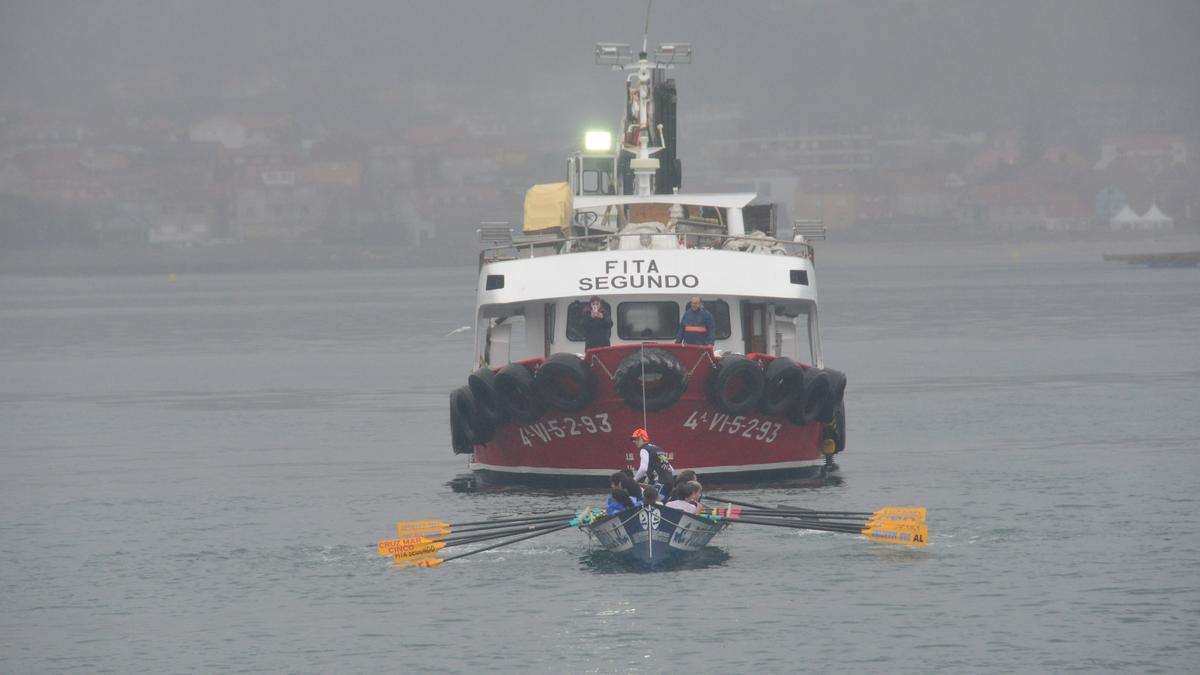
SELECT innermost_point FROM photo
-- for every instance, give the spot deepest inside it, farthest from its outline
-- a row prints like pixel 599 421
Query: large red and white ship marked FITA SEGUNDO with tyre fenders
pixel 752 403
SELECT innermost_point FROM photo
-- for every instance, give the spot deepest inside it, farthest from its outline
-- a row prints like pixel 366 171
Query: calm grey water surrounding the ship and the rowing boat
pixel 193 475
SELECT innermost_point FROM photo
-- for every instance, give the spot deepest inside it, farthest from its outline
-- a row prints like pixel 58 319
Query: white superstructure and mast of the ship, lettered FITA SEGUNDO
pixel 647 254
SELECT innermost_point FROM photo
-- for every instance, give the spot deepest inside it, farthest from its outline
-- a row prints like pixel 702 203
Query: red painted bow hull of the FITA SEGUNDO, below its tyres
pixel 580 447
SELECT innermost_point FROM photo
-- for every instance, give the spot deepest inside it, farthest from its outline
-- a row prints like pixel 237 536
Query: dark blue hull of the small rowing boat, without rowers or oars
pixel 652 535
